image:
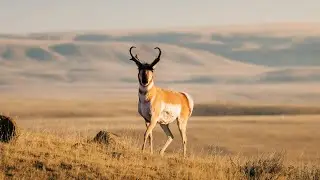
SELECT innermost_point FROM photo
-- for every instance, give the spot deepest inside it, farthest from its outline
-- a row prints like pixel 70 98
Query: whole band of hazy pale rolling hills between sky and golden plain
pixel 226 64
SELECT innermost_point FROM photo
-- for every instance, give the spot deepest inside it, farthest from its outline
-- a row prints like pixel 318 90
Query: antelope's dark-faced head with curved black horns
pixel 145 74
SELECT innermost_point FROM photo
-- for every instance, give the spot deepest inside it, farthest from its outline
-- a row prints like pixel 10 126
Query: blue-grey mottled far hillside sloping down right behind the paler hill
pixel 256 49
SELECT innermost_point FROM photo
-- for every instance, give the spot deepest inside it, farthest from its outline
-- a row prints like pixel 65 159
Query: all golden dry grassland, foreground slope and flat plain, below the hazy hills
pixel 220 147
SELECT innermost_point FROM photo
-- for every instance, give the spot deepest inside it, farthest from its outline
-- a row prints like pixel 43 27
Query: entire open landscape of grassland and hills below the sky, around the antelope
pixel 256 96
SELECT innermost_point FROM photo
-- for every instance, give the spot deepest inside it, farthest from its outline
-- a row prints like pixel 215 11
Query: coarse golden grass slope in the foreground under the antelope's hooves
pixel 39 155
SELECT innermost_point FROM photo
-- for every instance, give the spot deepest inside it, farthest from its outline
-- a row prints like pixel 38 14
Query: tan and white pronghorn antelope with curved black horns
pixel 158 105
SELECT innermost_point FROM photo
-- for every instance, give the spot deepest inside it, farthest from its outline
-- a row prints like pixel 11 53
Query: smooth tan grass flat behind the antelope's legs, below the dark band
pixel 225 135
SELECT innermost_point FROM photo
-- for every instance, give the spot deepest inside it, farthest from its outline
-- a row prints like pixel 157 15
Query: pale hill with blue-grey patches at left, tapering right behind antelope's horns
pixel 77 61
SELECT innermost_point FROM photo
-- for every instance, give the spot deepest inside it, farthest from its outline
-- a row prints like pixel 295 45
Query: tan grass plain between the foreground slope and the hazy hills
pixel 248 135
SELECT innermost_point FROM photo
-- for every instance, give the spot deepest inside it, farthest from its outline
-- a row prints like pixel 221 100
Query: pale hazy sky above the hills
pixel 60 15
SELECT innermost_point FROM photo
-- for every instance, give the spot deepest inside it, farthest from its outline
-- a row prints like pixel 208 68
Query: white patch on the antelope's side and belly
pixel 169 113
